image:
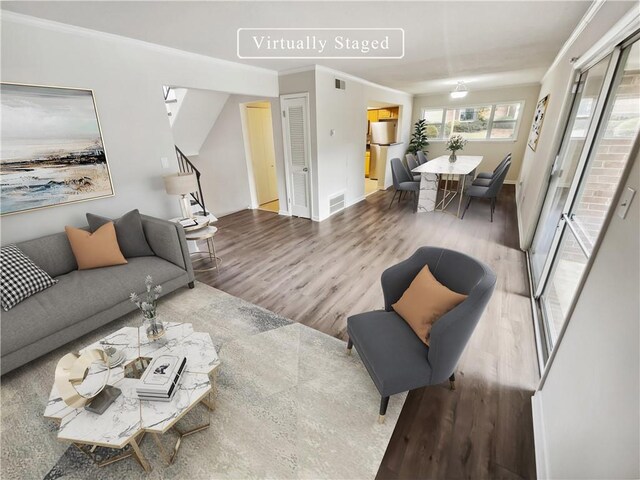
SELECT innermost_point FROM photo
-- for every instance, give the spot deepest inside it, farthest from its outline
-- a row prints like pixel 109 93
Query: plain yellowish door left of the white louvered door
pixel 262 153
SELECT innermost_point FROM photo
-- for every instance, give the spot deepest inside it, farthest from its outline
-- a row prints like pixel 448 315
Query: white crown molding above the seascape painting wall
pixel 21 19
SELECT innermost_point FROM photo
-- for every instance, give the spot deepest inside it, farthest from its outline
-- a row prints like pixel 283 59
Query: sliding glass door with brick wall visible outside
pixel 578 200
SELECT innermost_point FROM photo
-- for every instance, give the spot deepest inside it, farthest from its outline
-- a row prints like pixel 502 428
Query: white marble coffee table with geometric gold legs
pixel 128 419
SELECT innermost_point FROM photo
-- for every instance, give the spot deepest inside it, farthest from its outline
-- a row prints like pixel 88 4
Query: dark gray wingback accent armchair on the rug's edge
pixel 396 359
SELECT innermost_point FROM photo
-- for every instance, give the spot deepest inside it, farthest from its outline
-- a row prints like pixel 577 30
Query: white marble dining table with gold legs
pixel 441 168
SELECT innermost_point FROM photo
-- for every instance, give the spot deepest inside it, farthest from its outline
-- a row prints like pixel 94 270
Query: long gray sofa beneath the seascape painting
pixel 83 300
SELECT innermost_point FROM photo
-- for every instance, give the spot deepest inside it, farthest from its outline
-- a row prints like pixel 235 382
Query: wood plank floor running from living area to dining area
pixel 320 273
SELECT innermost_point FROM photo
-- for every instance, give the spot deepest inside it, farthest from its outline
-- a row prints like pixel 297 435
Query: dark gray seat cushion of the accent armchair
pixel 394 356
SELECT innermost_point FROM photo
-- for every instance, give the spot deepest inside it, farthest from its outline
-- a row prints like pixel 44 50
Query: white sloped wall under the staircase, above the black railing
pixel 198 111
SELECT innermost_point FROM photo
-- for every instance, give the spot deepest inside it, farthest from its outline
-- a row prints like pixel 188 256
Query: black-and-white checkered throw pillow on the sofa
pixel 20 277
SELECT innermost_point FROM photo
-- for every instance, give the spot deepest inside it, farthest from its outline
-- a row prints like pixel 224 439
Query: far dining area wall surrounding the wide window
pixel 492 151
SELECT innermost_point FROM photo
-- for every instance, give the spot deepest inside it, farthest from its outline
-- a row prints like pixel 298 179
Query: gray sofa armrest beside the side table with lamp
pixel 168 241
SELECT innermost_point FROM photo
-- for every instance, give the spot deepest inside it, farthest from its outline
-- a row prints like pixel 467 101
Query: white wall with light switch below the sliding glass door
pixel 587 413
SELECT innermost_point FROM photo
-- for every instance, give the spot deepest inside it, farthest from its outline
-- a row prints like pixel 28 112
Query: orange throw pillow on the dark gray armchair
pixel 424 302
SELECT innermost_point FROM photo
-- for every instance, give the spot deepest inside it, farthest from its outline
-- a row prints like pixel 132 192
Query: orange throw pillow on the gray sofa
pixel 97 249
